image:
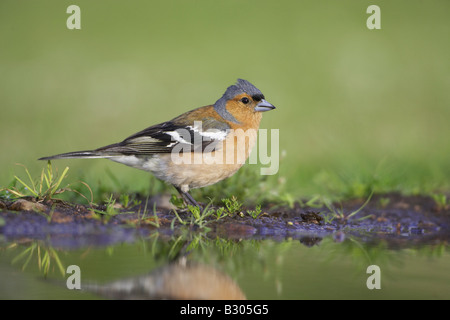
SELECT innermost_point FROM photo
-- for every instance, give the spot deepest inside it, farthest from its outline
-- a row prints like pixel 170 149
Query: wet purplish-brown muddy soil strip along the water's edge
pixel 400 221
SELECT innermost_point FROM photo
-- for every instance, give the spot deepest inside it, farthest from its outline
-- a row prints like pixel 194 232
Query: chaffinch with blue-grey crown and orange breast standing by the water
pixel 196 149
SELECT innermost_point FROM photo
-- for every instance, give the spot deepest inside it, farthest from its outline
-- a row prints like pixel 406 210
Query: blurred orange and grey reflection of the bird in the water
pixel 178 281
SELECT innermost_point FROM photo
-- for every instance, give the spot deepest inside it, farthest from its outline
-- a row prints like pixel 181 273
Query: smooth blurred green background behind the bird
pixel 355 107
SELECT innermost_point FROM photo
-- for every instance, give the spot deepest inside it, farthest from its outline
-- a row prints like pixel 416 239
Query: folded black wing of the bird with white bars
pixel 199 136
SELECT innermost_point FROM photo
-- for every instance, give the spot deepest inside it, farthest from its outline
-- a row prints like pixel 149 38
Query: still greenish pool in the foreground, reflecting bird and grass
pixel 160 266
